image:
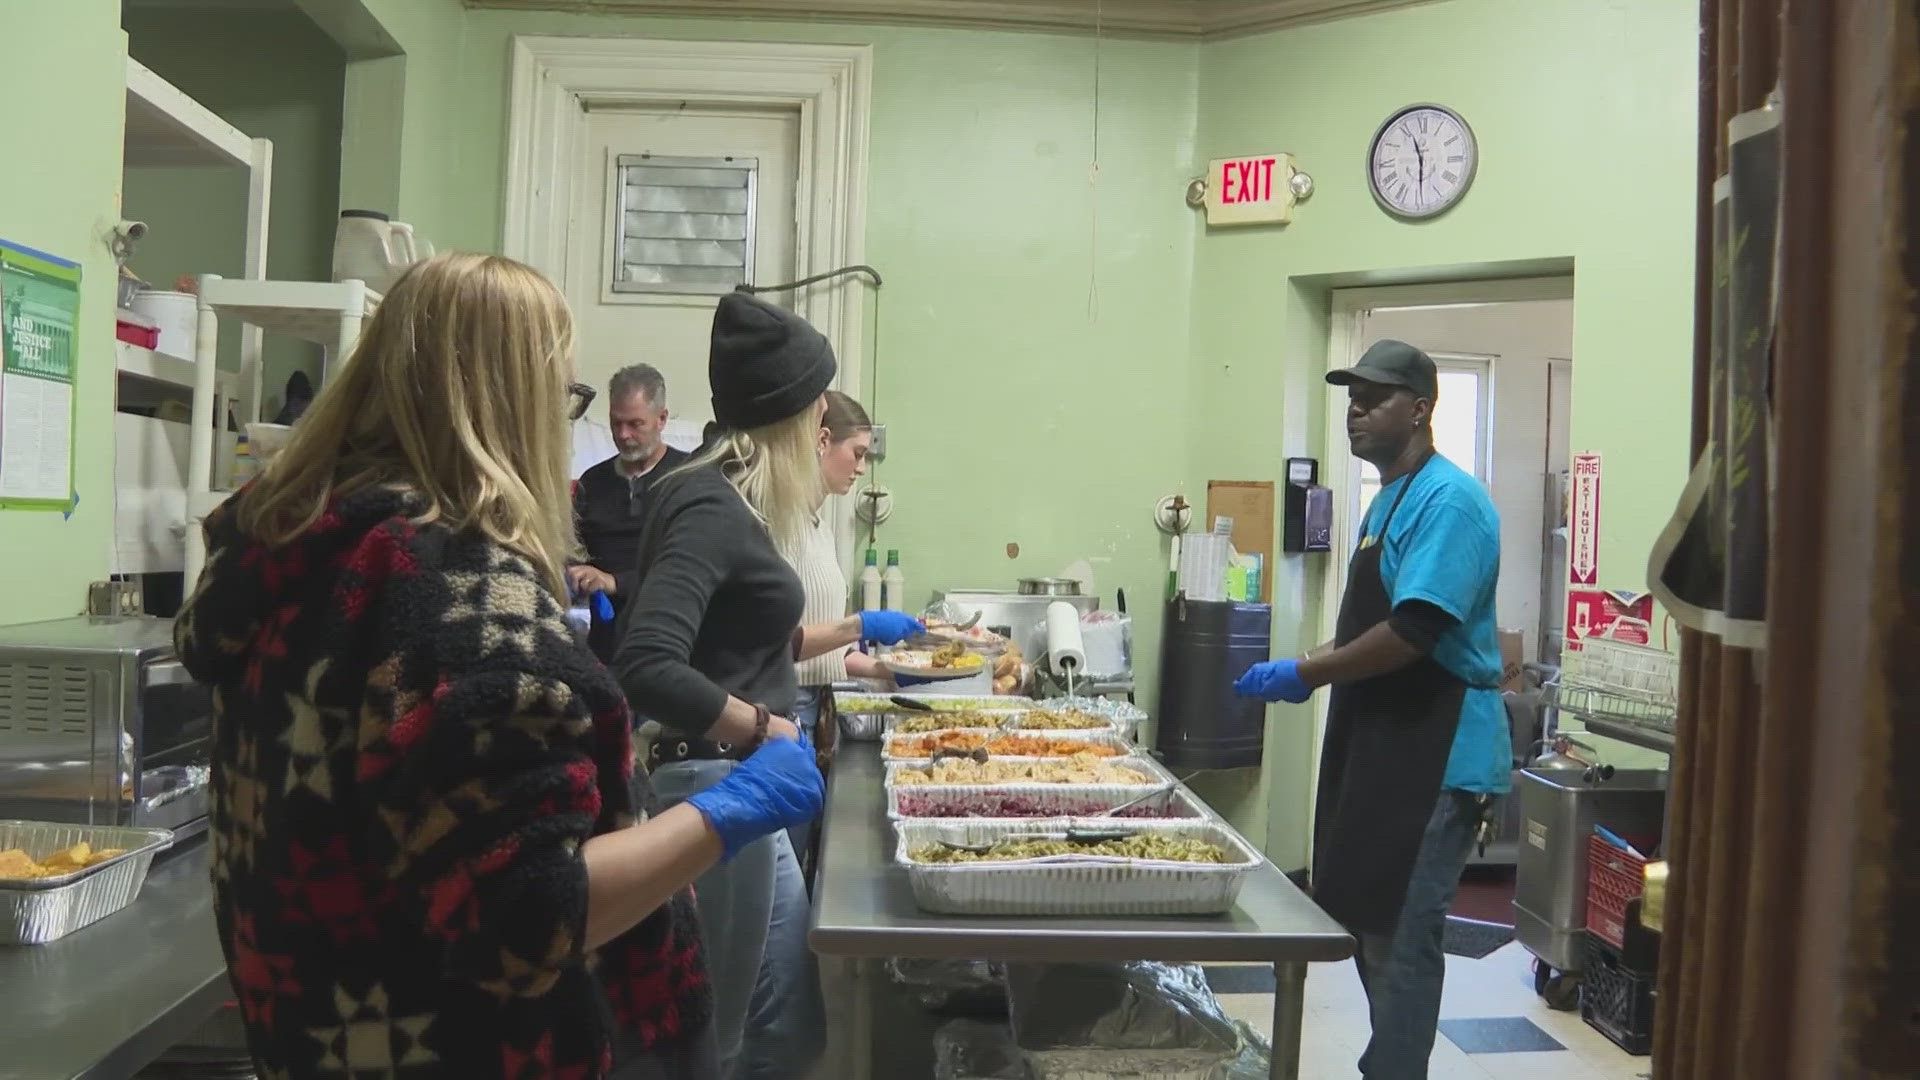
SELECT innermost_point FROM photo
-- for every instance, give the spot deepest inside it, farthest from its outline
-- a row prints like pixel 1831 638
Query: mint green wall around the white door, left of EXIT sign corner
pixel 980 216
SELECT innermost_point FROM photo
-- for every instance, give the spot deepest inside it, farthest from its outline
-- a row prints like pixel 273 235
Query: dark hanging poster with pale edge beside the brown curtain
pixel 1710 564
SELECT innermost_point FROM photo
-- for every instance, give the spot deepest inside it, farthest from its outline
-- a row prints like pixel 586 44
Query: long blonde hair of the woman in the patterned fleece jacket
pixel 458 391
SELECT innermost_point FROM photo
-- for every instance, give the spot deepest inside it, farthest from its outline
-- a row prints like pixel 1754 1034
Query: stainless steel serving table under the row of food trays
pixel 865 912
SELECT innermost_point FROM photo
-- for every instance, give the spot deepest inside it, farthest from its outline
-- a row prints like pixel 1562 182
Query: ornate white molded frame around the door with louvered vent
pixel 554 80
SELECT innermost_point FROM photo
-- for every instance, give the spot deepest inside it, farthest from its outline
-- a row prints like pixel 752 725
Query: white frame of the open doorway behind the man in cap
pixel 1351 308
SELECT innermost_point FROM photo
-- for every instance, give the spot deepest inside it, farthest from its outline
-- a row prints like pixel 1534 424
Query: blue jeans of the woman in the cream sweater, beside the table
pixel 786 1021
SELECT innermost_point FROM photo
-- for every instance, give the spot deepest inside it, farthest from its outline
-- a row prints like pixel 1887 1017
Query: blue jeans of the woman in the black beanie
pixel 736 902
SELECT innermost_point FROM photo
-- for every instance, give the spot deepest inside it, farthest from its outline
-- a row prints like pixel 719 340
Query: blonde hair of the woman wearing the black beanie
pixel 777 470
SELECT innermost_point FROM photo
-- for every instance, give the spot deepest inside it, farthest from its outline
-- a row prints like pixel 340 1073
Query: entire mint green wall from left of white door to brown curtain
pixel 1207 349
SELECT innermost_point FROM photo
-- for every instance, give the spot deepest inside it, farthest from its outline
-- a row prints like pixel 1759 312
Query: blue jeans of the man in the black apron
pixel 1406 970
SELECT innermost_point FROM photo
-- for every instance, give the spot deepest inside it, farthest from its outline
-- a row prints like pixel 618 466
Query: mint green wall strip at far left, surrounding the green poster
pixel 62 82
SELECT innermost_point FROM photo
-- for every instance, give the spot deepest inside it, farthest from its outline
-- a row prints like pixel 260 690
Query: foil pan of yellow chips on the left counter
pixel 45 910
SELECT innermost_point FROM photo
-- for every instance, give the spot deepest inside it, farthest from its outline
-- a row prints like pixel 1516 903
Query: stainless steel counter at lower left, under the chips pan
pixel 108 1000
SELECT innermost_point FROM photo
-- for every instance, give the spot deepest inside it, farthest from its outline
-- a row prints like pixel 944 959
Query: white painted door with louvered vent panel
pixel 684 228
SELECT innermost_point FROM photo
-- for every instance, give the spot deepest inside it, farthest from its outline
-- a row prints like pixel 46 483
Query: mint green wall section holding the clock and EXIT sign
pixel 1585 118
